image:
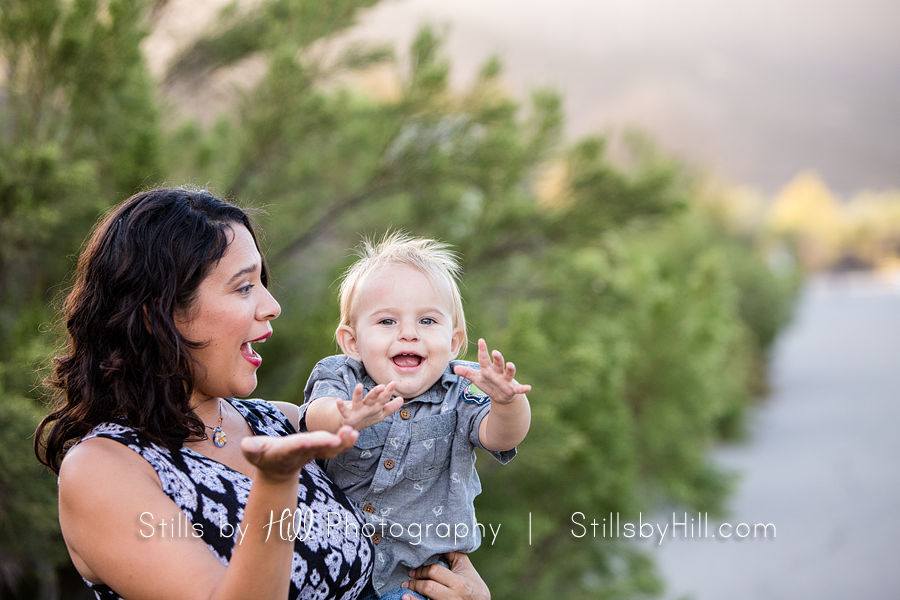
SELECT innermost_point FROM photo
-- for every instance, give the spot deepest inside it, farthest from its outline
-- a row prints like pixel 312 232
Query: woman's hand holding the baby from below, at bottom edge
pixel 460 582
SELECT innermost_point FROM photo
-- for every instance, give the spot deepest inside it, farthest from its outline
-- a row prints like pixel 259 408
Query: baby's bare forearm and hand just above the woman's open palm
pixel 330 414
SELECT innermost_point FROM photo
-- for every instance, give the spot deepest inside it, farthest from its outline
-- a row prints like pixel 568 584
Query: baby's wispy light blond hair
pixel 436 260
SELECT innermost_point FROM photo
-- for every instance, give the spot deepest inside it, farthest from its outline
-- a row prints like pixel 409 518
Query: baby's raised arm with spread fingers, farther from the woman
pixel 505 426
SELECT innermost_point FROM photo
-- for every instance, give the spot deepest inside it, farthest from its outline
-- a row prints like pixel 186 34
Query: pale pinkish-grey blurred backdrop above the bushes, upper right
pixel 756 91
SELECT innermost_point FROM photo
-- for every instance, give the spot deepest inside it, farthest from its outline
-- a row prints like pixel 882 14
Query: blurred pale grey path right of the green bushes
pixel 822 463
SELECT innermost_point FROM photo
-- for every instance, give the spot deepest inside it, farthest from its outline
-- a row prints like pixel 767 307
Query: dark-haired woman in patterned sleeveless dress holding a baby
pixel 169 298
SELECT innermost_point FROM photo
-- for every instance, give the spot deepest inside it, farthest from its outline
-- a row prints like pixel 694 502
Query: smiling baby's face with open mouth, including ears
pixel 403 330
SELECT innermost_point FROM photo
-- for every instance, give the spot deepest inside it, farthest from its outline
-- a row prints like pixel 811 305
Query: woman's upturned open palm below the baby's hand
pixel 281 458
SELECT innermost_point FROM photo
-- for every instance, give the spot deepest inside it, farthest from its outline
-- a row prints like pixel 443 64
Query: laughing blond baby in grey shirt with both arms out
pixel 420 417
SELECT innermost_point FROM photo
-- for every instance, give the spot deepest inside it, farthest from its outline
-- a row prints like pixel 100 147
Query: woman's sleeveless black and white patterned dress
pixel 327 563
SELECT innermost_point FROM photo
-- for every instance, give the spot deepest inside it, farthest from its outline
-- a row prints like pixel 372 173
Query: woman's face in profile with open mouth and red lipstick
pixel 232 311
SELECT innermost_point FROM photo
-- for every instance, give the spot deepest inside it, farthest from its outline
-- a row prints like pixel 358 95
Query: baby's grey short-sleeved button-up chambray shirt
pixel 412 475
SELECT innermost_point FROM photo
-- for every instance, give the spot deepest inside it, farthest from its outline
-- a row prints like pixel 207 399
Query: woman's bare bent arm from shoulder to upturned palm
pixel 120 526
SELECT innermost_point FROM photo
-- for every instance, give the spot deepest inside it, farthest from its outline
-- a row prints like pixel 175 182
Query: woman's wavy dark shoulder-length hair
pixel 125 360
